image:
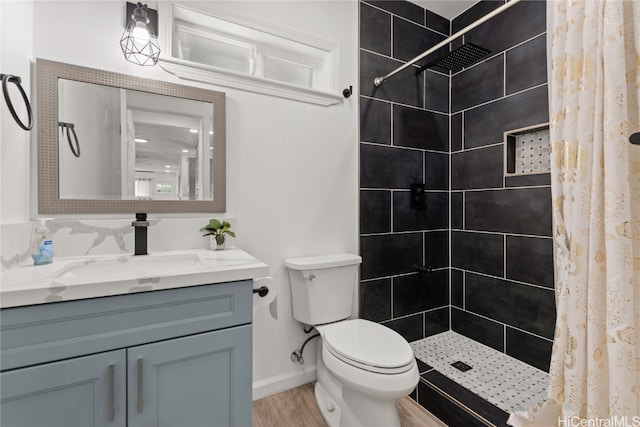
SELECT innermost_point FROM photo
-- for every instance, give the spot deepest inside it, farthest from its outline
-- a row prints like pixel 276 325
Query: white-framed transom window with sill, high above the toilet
pixel 237 51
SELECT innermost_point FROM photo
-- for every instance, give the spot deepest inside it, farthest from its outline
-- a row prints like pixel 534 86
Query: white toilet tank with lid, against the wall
pixel 322 287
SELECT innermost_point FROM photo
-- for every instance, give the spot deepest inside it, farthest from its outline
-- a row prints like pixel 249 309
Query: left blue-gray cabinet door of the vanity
pixel 84 391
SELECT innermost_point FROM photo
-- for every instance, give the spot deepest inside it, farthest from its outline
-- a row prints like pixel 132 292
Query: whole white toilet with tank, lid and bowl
pixel 363 367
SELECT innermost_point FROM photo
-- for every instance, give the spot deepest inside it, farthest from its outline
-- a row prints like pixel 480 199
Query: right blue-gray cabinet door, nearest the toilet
pixel 196 381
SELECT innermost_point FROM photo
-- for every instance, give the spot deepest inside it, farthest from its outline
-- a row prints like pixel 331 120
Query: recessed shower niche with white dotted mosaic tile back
pixel 527 151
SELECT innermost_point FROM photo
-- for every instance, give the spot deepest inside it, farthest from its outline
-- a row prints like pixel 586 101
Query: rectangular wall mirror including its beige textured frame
pixel 115 143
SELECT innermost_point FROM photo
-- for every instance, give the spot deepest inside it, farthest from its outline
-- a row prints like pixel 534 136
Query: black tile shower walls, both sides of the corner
pixel 487 236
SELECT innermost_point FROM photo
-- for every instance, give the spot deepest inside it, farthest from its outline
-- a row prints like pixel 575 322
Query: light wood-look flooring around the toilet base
pixel 297 408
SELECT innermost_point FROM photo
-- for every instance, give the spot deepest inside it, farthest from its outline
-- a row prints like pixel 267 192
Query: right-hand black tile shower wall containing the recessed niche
pixel 501 250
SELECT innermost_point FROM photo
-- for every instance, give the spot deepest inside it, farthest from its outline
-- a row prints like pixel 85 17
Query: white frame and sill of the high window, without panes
pixel 322 56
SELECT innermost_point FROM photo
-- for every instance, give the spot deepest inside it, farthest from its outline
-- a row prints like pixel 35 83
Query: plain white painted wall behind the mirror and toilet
pixel 292 167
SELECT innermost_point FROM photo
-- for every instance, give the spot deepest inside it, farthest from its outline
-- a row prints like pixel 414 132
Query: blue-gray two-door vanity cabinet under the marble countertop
pixel 179 357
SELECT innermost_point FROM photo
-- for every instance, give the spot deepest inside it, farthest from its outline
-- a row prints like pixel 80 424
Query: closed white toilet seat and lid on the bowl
pixel 367 345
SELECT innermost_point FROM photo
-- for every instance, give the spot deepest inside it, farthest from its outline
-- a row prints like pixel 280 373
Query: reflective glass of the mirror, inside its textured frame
pixel 123 144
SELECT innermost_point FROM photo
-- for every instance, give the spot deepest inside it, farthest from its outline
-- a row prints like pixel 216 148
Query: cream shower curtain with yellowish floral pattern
pixel 594 89
